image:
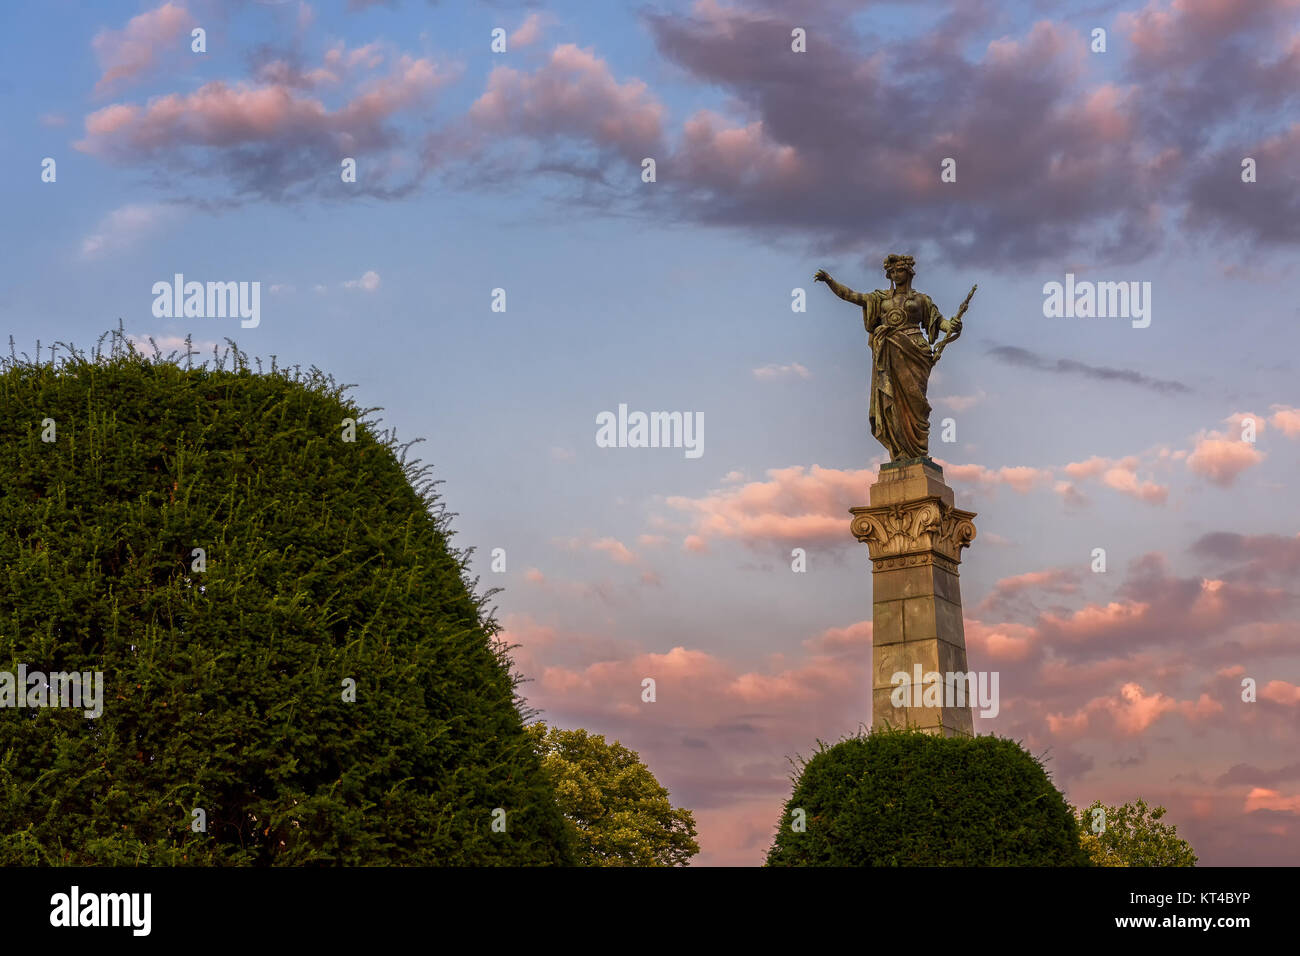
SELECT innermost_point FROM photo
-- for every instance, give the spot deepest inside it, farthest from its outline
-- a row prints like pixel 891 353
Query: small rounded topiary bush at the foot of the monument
pixel 912 799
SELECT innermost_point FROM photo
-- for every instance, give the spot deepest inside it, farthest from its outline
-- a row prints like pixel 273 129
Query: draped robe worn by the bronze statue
pixel 900 370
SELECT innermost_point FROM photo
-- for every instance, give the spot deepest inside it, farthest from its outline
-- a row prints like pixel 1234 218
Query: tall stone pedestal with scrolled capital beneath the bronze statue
pixel 916 537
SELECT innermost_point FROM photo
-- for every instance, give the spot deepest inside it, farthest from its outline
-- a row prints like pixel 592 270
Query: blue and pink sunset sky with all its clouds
pixel 504 270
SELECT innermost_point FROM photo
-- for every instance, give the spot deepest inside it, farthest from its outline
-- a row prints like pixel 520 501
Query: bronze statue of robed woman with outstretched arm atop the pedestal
pixel 903 328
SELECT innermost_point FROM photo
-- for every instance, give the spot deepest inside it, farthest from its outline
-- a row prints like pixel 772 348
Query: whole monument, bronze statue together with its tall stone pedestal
pixel 913 533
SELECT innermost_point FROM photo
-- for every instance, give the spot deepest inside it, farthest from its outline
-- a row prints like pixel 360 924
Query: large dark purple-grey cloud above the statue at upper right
pixel 1141 140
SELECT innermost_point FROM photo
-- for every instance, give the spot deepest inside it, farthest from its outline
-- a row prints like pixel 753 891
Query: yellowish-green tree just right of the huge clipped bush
pixel 619 814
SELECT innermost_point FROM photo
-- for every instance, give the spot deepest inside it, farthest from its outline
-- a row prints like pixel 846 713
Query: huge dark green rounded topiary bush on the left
pixel 226 672
